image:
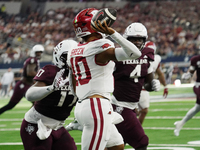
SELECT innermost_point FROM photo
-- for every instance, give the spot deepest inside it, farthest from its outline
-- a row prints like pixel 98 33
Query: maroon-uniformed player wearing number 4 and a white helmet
pixel 130 76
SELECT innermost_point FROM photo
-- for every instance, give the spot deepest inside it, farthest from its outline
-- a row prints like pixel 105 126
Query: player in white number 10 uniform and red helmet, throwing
pixel 92 67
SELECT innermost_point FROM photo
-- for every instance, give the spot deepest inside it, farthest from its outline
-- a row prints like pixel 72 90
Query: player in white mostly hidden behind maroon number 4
pixel 143 104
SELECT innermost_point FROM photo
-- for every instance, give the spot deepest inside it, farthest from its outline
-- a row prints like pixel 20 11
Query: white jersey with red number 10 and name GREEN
pixel 92 78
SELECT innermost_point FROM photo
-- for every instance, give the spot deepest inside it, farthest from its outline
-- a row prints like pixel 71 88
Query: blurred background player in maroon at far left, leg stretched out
pixel 30 68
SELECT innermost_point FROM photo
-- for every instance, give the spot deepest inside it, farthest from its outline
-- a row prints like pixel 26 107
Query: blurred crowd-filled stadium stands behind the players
pixel 173 25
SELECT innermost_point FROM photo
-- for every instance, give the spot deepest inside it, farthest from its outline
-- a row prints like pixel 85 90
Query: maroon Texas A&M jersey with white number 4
pixel 130 76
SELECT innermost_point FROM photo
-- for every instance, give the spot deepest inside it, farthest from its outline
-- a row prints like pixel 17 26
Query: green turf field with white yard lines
pixel 158 124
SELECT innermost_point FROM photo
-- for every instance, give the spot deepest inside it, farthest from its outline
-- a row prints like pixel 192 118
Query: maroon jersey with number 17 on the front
pixel 58 104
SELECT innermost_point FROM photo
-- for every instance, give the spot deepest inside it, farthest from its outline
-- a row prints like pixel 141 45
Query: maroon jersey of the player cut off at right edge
pixel 195 62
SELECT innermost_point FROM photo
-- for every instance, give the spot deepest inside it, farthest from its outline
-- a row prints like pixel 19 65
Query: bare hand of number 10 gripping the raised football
pixel 103 28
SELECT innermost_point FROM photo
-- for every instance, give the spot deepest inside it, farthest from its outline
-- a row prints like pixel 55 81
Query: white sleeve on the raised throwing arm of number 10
pixel 132 52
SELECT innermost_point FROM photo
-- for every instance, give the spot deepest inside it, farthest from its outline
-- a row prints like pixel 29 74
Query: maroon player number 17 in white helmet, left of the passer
pixel 42 126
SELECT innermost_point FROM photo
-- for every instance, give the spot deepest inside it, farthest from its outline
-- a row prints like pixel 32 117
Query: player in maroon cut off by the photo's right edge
pixel 194 67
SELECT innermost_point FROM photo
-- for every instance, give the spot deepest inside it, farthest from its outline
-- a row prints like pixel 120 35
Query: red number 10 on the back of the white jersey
pixel 81 70
